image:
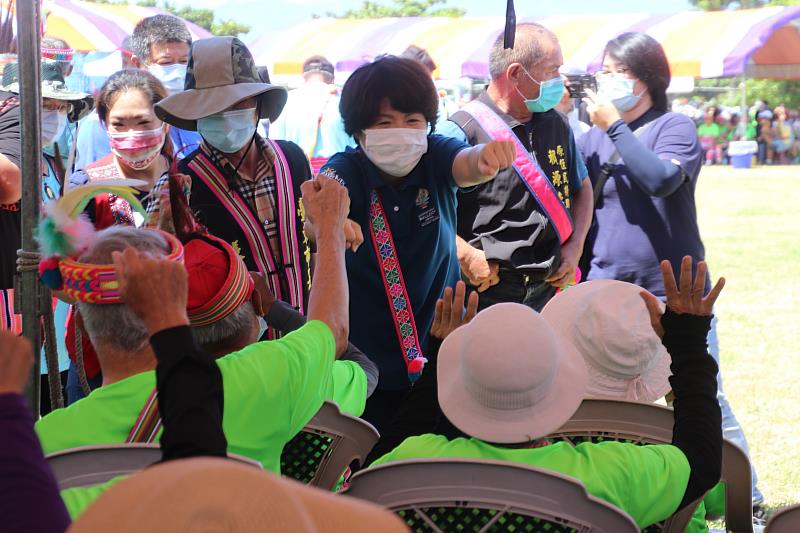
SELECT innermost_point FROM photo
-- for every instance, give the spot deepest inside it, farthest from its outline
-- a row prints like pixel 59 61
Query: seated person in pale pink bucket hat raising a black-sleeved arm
pixel 507 380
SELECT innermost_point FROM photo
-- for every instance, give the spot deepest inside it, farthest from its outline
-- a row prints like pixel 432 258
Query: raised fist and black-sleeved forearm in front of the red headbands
pixel 190 389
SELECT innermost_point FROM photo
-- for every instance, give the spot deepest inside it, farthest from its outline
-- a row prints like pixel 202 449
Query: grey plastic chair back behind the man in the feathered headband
pixel 92 465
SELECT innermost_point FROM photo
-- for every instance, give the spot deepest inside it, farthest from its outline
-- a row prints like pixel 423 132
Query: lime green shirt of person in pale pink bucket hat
pixel 647 482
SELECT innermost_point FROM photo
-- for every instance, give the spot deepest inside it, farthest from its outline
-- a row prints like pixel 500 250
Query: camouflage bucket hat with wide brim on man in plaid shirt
pixel 221 73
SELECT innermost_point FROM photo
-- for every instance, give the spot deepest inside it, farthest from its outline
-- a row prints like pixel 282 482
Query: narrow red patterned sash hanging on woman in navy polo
pixel 395 286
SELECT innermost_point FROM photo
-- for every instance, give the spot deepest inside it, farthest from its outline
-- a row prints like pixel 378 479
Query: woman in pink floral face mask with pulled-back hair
pixel 140 144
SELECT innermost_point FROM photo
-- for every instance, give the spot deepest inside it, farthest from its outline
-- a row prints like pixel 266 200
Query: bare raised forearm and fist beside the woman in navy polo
pixel 327 204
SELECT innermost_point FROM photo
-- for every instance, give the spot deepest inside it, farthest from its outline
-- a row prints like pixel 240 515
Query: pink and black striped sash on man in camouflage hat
pixel 202 167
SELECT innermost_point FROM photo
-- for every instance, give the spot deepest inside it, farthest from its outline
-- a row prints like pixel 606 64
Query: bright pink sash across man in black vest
pixel 526 168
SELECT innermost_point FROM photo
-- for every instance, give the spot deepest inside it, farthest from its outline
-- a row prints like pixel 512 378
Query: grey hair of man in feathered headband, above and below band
pixel 116 325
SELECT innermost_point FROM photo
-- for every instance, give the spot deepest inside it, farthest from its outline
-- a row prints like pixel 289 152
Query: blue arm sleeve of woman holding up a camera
pixel 656 176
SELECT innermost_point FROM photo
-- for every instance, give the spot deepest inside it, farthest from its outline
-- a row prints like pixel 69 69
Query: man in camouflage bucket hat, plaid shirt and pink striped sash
pixel 245 189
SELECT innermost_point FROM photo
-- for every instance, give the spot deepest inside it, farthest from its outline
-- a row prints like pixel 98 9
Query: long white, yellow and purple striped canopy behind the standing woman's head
pixel 762 43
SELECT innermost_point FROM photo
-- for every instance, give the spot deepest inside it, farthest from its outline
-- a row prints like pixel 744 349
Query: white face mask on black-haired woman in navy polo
pixel 395 151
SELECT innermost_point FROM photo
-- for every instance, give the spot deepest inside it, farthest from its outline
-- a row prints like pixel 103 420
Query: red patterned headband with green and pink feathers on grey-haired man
pixel 65 233
